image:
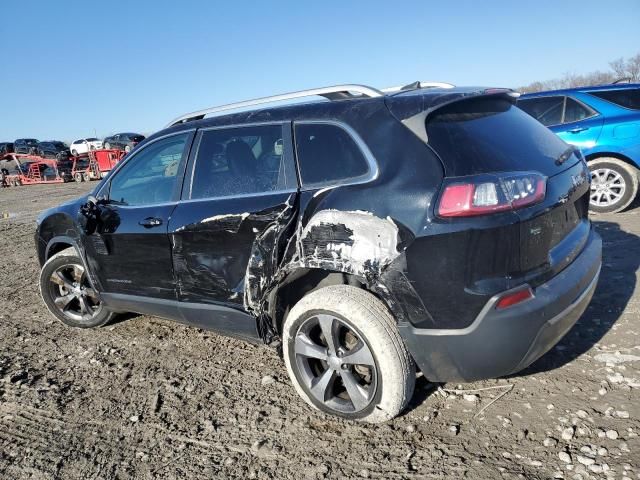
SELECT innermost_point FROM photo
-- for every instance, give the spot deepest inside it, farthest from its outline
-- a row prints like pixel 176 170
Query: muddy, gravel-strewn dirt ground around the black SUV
pixel 148 398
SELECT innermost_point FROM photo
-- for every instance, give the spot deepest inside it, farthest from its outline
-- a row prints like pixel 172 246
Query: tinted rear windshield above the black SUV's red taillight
pixel 486 135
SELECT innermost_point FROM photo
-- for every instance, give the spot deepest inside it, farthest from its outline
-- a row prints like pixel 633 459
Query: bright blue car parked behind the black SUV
pixel 604 122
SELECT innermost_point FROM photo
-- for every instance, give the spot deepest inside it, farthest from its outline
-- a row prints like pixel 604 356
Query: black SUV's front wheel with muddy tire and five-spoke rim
pixel 62 295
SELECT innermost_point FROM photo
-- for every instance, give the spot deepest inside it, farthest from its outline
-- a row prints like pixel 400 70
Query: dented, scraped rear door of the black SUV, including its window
pixel 238 202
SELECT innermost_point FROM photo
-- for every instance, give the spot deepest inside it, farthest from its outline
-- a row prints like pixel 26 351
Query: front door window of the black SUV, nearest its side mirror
pixel 150 176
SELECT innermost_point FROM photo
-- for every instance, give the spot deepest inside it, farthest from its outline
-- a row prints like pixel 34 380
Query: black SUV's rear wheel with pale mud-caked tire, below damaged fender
pixel 362 332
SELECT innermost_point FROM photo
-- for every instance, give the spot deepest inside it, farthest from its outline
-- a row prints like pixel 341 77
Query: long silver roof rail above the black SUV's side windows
pixel 332 93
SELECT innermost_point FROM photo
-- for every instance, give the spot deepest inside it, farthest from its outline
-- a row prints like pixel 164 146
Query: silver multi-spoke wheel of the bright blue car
pixel 614 185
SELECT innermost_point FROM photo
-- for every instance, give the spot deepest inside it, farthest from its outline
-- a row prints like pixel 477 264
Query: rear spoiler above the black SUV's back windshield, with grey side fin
pixel 412 110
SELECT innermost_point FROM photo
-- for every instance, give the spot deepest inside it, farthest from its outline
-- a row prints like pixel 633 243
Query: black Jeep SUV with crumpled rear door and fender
pixel 365 235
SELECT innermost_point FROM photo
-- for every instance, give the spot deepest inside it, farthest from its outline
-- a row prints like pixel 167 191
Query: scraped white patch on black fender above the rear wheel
pixel 374 239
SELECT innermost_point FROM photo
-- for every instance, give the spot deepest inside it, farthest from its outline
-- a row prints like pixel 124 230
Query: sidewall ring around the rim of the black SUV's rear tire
pixel 290 352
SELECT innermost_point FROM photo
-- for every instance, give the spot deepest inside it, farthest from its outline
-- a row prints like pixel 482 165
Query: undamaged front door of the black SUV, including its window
pixel 130 251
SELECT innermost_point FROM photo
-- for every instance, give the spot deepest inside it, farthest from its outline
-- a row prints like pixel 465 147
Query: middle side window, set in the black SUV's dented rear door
pixel 240 161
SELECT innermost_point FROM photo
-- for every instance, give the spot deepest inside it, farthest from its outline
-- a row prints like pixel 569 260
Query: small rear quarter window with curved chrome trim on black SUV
pixel 328 154
